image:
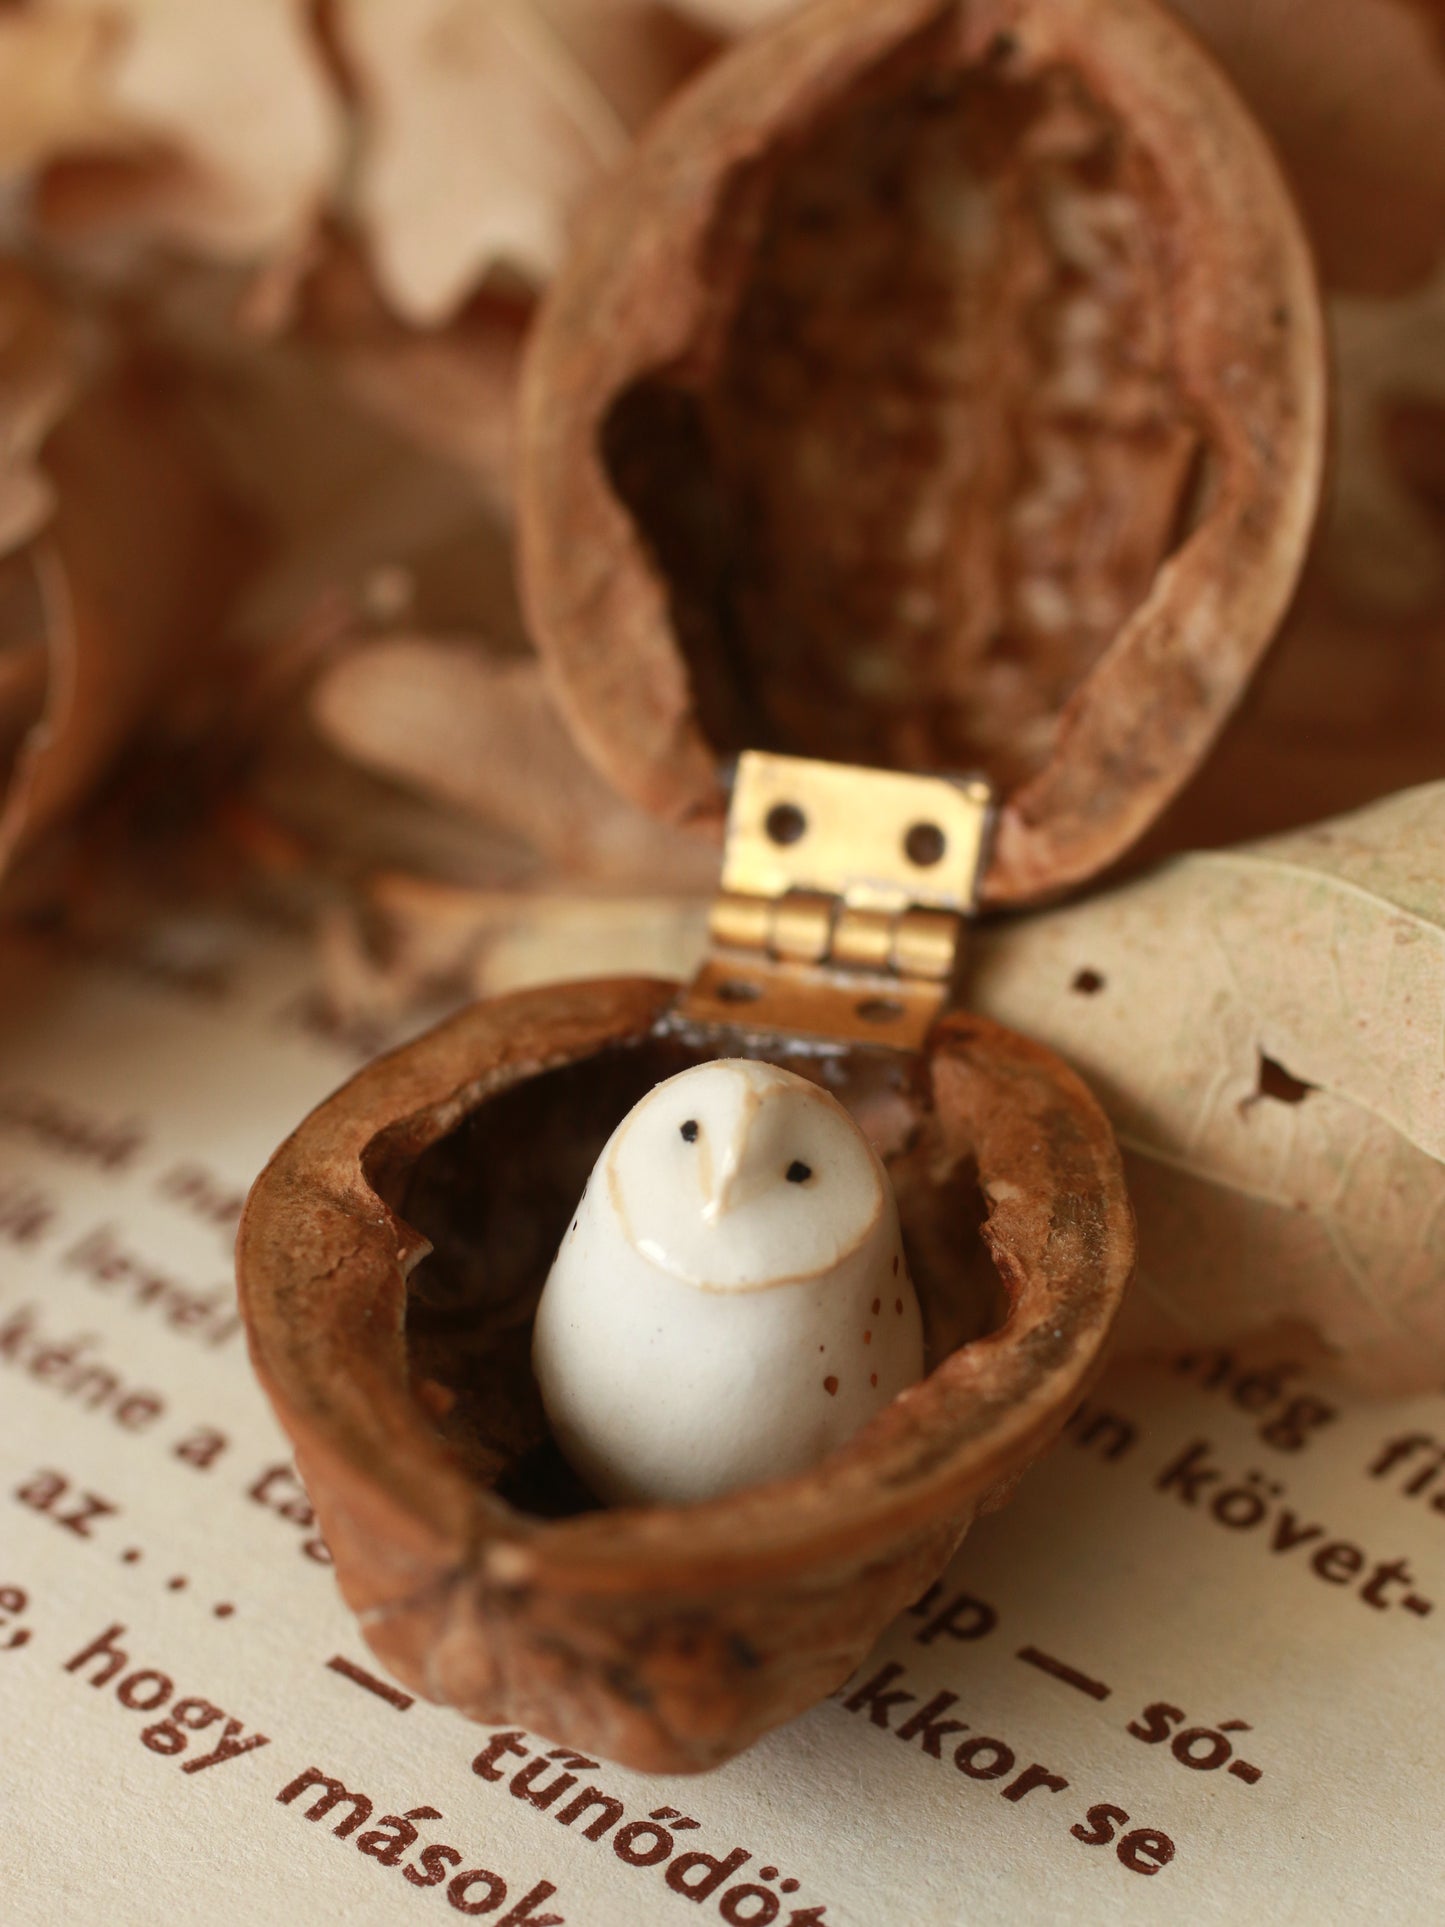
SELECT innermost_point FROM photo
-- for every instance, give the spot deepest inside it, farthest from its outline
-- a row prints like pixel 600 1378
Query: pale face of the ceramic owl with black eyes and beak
pixel 739 1175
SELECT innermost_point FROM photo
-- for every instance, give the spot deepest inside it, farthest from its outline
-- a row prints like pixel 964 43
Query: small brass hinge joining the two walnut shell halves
pixel 845 901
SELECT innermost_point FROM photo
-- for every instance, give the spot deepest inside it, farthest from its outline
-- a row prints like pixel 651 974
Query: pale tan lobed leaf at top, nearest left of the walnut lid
pixel 485 126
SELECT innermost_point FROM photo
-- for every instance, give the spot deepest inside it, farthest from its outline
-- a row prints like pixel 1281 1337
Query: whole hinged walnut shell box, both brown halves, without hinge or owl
pixel 939 388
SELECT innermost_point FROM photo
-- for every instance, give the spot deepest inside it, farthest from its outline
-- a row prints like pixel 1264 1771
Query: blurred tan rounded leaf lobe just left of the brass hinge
pixel 483 737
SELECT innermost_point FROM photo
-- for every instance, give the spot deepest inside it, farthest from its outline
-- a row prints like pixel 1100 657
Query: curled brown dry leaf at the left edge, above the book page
pixel 113 560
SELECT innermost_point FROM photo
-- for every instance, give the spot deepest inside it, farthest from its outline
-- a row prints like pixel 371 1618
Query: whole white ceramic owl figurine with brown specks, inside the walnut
pixel 731 1300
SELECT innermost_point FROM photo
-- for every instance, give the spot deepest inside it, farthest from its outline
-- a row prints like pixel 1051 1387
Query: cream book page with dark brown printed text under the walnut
pixel 1192 1672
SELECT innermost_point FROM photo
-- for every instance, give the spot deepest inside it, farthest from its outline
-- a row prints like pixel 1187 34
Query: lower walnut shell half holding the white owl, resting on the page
pixel 390 1261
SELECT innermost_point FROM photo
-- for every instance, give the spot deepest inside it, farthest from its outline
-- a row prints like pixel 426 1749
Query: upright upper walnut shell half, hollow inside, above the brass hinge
pixel 937 388
